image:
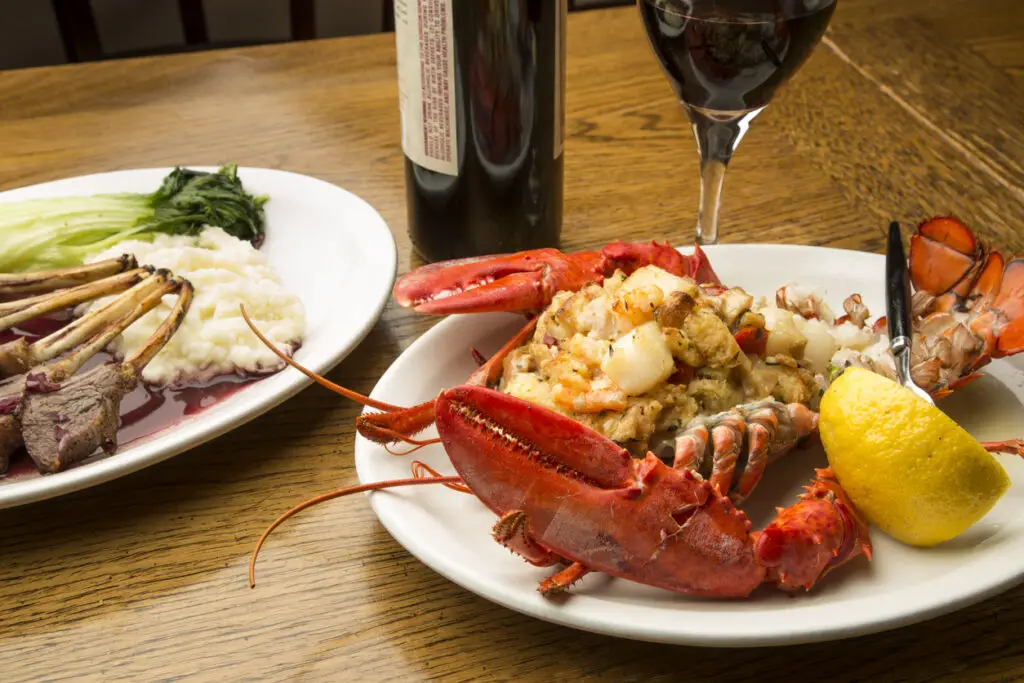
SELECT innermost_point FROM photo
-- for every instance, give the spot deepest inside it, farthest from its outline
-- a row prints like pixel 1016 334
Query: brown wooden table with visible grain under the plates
pixel 910 108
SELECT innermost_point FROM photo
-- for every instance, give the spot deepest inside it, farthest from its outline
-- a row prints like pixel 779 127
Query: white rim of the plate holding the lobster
pixel 884 618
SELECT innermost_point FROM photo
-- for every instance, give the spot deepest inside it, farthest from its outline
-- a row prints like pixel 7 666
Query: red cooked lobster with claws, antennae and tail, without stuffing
pixel 675 528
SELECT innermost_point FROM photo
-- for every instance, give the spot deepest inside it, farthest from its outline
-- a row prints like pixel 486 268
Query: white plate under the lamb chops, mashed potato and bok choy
pixel 322 240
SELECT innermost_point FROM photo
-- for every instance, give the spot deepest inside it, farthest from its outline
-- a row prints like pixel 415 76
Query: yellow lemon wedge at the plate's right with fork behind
pixel 910 469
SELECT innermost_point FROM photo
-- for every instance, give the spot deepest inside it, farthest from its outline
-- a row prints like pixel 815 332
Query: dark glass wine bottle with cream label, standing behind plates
pixel 482 95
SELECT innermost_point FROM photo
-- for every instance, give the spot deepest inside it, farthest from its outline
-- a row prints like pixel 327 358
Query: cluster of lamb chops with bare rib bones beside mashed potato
pixel 61 417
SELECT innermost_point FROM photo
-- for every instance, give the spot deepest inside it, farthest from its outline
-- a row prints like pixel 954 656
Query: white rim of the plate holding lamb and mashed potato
pixel 292 381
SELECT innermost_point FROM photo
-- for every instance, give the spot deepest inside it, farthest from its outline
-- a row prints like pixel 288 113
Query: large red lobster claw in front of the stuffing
pixel 586 500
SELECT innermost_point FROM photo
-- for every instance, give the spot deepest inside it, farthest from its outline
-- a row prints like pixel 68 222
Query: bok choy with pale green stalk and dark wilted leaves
pixel 59 233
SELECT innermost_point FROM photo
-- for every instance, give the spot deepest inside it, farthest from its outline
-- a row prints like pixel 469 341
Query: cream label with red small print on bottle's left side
pixel 426 83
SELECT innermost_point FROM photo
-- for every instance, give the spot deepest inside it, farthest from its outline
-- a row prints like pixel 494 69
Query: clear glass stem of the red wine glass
pixel 718 136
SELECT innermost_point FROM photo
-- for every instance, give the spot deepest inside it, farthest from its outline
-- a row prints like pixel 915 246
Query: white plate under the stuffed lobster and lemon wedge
pixel 450 532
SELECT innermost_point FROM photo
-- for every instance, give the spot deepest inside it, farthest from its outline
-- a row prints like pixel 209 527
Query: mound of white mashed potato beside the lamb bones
pixel 214 339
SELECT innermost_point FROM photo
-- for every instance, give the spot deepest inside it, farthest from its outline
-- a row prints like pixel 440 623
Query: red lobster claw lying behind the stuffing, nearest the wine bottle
pixel 528 281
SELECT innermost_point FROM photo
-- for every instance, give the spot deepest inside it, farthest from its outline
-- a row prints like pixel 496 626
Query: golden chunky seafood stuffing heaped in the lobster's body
pixel 642 356
